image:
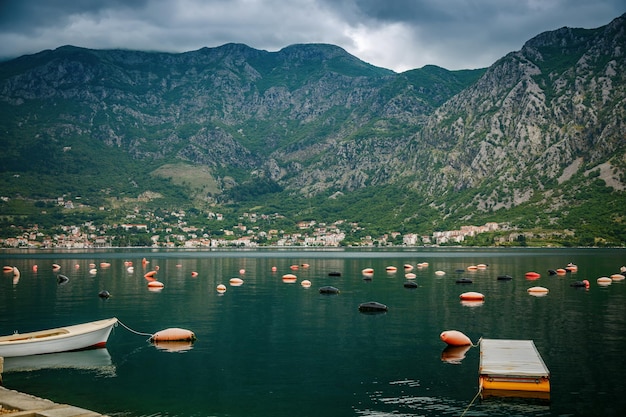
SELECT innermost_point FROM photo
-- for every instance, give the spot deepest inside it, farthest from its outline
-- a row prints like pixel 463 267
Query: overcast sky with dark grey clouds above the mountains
pixel 394 34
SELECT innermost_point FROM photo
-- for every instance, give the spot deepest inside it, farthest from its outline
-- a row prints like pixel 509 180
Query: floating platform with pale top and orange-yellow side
pixel 512 368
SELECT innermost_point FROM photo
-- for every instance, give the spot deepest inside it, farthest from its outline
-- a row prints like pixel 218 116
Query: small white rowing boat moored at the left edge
pixel 77 337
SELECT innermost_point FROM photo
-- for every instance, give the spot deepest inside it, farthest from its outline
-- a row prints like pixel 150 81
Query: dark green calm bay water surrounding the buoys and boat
pixel 267 348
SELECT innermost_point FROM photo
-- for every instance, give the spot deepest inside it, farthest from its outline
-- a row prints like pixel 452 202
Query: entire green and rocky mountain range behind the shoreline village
pixel 536 141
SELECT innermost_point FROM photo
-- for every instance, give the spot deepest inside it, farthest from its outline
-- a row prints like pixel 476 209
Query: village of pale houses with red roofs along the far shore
pixel 176 232
